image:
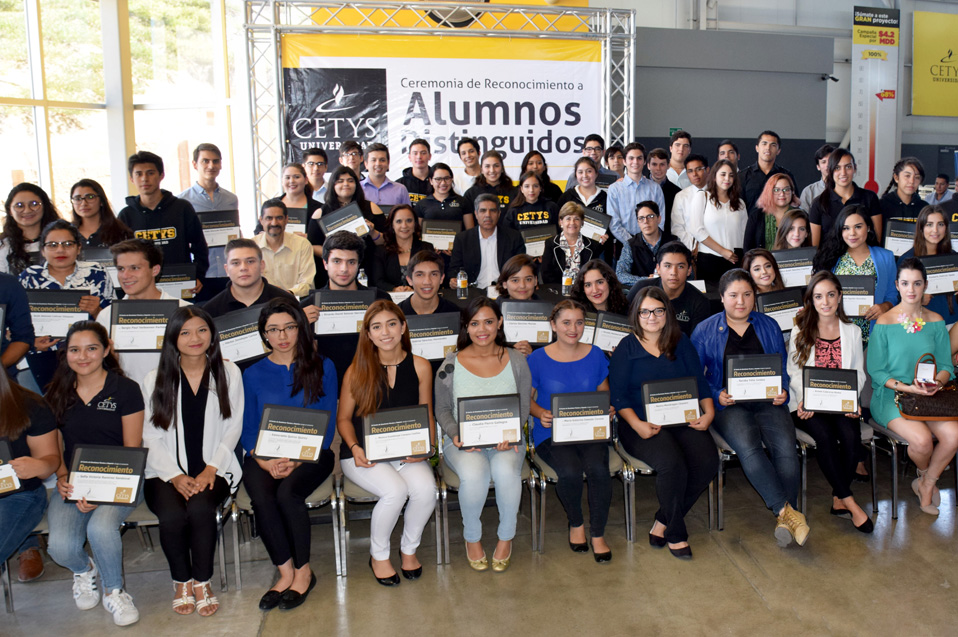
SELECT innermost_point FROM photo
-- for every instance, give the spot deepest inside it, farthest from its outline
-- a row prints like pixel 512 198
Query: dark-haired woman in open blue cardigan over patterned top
pixel 851 248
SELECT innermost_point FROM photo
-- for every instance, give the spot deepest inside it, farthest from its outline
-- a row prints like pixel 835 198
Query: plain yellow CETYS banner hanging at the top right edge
pixel 934 84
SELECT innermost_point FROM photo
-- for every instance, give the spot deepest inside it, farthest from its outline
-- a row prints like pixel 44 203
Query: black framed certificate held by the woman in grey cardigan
pixel 486 421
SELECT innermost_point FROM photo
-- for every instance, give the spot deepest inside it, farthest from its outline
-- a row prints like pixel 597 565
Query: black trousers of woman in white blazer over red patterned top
pixel 837 440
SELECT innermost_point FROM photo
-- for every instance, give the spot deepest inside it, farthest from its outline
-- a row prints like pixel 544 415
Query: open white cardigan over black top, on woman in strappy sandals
pixel 220 436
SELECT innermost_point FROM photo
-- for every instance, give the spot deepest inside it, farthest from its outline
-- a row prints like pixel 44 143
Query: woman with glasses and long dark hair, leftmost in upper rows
pixel 28 211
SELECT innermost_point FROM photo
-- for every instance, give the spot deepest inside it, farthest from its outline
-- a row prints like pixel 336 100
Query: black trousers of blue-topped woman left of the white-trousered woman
pixel 280 506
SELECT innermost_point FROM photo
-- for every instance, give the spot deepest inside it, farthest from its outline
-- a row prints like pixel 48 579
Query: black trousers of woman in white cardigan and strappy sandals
pixel 187 527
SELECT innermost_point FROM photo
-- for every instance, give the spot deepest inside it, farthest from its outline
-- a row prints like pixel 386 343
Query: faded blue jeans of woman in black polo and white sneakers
pixel 70 529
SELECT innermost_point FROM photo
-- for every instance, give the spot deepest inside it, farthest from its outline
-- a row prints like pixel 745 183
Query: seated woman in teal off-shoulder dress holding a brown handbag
pixel 900 337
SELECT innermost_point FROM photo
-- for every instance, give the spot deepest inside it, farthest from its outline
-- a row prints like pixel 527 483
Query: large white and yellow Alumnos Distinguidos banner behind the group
pixel 513 95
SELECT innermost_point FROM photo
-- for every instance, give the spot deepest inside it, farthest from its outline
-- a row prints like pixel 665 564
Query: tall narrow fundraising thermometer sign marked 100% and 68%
pixel 874 116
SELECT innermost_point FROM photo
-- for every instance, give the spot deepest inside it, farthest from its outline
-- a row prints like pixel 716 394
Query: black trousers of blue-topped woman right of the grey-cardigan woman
pixel 570 463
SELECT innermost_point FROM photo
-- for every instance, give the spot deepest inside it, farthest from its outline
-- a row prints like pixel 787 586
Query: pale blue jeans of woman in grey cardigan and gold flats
pixel 475 469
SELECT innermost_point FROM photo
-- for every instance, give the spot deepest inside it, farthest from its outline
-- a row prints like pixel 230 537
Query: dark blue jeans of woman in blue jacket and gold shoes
pixel 745 426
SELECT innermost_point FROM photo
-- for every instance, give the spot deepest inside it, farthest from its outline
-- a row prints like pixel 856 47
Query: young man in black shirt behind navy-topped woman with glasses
pixel 672 265
